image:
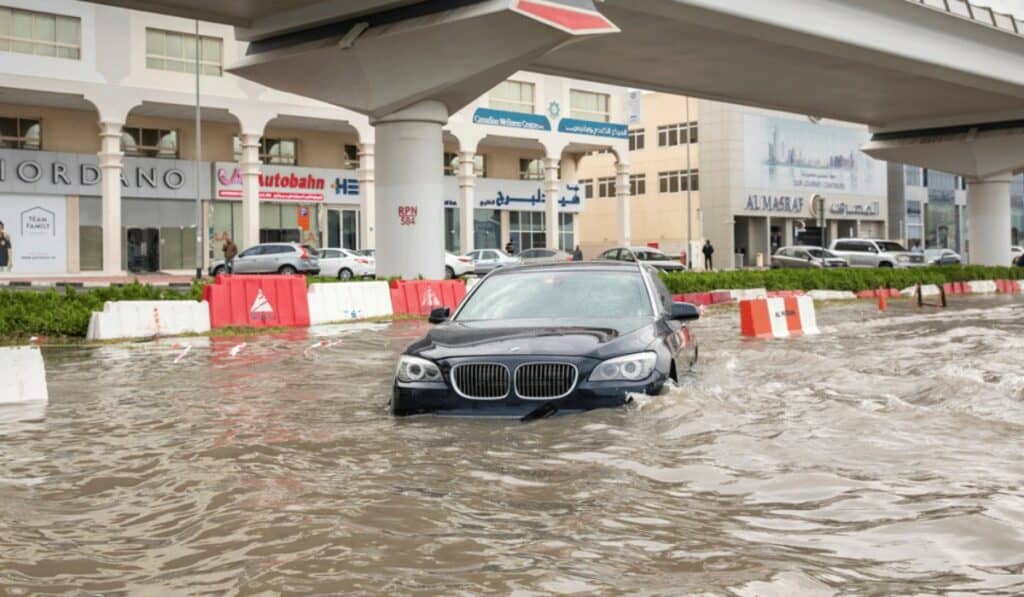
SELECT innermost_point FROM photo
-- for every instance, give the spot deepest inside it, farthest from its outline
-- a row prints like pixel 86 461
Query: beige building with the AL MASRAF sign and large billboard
pixel 754 181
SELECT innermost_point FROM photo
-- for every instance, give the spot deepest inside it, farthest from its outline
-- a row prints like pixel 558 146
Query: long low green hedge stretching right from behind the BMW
pixel 852 279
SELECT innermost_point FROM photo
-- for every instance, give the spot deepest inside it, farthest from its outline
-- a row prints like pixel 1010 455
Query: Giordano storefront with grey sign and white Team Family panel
pixel 51 206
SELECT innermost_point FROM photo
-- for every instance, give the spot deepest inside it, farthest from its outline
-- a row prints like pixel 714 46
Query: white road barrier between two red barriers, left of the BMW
pixel 352 301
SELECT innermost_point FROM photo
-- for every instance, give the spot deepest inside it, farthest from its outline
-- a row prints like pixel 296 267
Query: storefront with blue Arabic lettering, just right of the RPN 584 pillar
pixel 513 210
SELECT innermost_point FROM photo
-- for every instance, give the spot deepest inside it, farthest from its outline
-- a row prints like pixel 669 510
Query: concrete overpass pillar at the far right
pixel 989 221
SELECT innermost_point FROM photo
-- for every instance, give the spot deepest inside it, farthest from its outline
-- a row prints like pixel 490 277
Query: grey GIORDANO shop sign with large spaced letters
pixel 54 174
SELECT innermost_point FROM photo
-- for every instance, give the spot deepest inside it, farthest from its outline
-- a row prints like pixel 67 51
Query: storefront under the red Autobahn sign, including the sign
pixel 316 206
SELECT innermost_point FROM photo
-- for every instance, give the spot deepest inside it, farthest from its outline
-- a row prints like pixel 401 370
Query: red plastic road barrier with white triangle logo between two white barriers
pixel 259 302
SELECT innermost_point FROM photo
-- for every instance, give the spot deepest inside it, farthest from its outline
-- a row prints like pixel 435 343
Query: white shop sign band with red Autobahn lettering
pixel 290 184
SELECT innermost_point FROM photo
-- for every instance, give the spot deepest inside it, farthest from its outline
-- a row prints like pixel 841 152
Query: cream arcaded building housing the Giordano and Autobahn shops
pixel 99 149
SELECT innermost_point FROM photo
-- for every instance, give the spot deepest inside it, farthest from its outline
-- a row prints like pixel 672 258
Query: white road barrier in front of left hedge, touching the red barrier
pixel 147 319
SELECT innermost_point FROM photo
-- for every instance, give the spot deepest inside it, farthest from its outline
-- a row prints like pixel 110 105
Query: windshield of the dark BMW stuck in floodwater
pixel 560 295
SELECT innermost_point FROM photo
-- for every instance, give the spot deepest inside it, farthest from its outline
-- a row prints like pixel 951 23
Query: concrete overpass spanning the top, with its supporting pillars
pixel 941 82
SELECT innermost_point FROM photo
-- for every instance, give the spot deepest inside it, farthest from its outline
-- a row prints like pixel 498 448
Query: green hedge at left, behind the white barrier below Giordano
pixel 27 313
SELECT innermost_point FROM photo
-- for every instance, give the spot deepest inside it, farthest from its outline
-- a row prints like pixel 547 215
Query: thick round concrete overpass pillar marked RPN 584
pixel 411 220
